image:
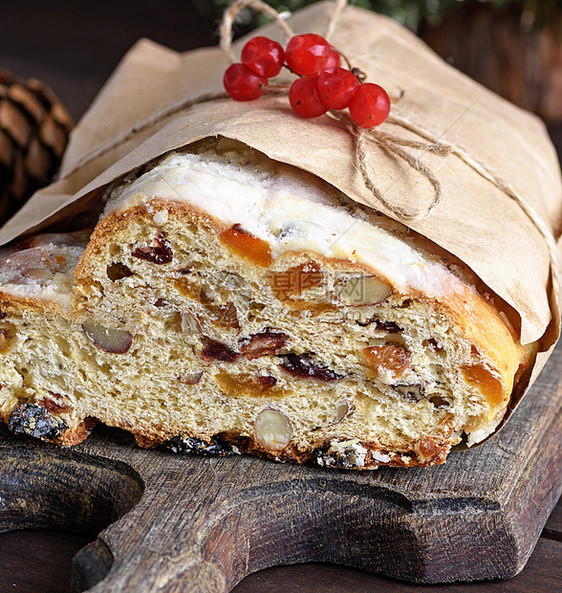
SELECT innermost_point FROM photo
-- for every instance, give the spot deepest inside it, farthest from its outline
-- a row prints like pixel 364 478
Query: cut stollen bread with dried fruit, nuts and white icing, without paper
pixel 228 303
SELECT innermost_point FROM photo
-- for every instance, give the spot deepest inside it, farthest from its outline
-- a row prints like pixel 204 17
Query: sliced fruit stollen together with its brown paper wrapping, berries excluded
pixel 221 277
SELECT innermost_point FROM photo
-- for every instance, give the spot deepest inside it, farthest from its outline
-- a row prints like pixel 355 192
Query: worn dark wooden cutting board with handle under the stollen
pixel 174 523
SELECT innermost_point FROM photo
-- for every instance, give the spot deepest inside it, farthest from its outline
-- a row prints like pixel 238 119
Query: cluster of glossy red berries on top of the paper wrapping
pixel 323 85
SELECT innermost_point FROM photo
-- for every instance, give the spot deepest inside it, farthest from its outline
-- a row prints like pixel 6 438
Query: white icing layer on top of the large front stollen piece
pixel 284 207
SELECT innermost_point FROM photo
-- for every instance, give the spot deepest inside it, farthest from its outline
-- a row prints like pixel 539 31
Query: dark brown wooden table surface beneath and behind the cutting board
pixel 74 46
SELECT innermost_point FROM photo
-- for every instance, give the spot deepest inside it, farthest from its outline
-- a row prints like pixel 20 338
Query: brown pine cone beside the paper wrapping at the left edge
pixel 34 129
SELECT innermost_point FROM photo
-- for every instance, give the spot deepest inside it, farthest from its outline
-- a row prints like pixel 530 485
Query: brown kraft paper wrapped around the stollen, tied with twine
pixel 155 102
